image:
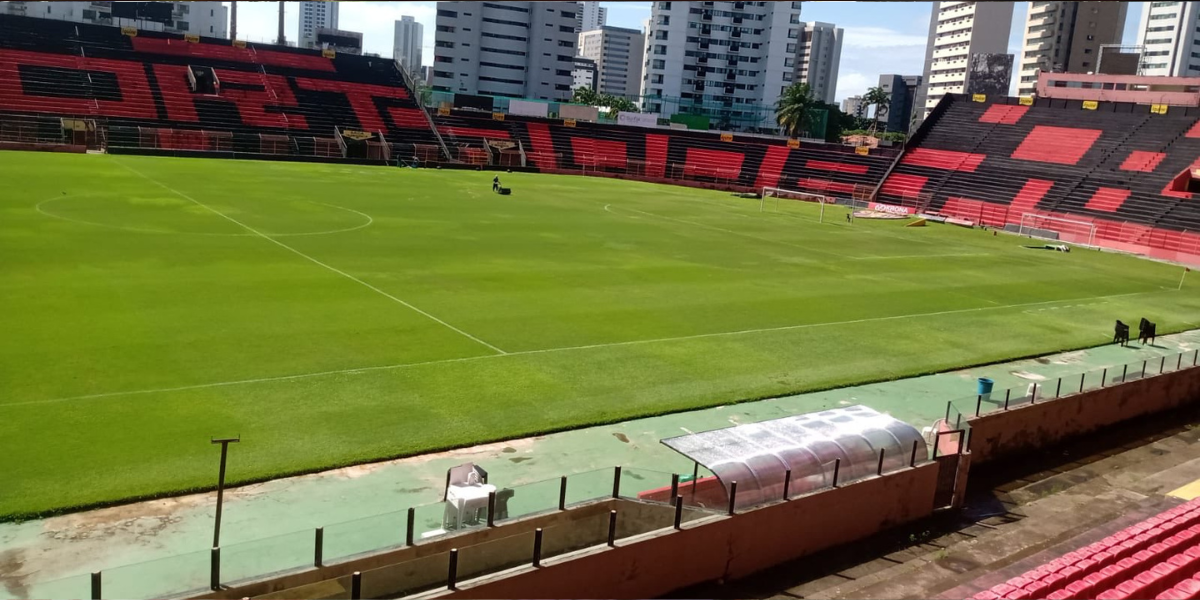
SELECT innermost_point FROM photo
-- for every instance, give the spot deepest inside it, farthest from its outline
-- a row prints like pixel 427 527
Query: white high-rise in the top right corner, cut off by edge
pixel 1171 37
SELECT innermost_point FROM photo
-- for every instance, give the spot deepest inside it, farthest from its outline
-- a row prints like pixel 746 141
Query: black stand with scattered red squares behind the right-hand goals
pixel 1119 167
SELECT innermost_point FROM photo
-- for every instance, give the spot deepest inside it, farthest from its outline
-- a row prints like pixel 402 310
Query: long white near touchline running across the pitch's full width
pixel 571 349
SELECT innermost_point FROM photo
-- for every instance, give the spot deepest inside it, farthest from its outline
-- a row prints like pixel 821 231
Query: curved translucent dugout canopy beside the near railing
pixel 759 455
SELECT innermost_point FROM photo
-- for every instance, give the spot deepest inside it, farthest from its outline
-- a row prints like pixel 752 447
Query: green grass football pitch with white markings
pixel 334 315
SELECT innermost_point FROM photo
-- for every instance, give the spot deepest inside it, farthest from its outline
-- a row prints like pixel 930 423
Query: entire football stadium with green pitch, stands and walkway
pixel 460 346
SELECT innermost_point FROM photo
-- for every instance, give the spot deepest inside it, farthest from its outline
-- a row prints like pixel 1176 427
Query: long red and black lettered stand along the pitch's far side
pixel 272 100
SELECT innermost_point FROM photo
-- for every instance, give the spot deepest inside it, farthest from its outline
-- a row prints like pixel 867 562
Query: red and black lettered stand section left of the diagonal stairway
pixel 68 69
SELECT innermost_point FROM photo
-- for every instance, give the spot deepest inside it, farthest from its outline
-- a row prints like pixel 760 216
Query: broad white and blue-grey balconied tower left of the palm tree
pixel 729 62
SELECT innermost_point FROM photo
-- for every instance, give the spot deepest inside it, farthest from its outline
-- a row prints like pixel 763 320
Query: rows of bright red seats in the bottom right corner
pixel 1157 559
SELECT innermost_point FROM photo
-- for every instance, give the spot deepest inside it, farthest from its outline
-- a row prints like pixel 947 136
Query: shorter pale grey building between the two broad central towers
pixel 619 55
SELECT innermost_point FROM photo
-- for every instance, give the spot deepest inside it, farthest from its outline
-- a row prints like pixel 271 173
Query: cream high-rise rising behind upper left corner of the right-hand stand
pixel 957 31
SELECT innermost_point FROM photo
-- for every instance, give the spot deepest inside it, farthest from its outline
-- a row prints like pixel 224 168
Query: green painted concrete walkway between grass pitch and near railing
pixel 159 548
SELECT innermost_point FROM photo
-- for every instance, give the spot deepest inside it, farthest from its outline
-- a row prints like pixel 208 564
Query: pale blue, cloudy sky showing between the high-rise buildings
pixel 881 38
